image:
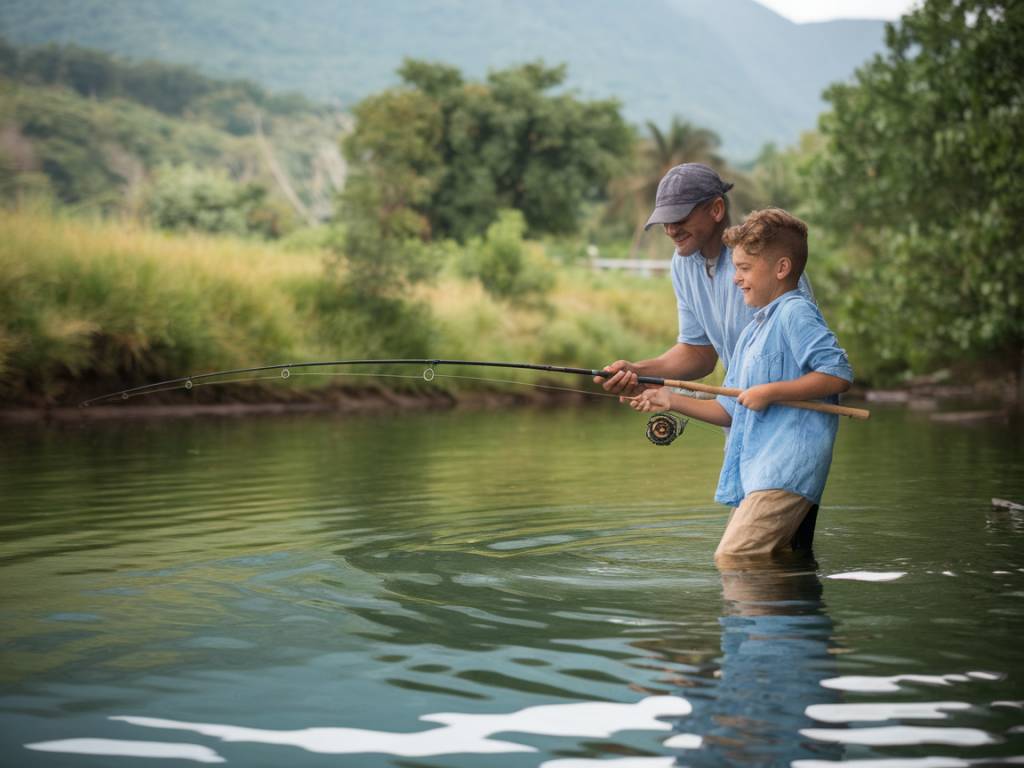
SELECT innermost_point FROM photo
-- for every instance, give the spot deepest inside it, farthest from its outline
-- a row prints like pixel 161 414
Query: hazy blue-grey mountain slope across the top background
pixel 733 66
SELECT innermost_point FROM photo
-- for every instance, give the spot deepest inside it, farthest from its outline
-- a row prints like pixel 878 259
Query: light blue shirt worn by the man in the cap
pixel 712 311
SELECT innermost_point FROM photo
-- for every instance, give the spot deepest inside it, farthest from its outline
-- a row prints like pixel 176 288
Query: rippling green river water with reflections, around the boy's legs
pixel 511 588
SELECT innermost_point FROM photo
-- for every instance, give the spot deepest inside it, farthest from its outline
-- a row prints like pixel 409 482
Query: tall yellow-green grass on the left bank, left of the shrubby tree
pixel 118 305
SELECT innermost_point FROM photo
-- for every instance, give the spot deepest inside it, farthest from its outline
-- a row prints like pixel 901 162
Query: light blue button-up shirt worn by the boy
pixel 781 448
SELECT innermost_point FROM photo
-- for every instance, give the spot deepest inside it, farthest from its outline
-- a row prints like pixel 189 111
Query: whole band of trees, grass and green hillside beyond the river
pixel 210 235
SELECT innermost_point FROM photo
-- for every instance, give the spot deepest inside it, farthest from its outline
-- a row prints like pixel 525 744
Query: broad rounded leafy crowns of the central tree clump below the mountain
pixel 452 153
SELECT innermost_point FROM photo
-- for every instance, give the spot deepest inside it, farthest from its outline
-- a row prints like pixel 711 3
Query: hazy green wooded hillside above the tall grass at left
pixel 101 134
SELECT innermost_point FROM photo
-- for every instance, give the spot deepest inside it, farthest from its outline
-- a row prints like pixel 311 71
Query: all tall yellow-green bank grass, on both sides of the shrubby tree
pixel 89 307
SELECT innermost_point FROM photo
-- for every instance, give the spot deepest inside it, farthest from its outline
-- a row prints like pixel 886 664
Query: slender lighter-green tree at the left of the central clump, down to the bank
pixel 383 250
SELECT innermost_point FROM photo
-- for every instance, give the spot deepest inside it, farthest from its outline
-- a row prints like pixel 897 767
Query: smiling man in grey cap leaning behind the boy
pixel 695 212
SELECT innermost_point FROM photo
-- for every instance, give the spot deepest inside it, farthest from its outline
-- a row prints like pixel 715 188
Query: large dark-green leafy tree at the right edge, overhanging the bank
pixel 923 177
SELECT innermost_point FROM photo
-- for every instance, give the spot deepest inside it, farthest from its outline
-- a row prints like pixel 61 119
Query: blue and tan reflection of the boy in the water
pixel 777 649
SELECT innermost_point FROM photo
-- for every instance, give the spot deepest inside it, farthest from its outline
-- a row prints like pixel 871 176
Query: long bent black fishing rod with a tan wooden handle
pixel 285 371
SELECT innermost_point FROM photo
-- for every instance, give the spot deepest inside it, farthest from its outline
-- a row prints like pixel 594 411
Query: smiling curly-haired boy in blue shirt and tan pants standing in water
pixel 777 458
